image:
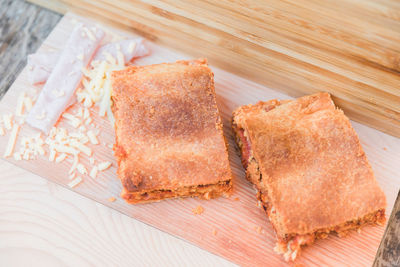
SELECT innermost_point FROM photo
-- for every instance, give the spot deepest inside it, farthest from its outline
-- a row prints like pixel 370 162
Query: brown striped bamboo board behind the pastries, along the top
pixel 298 47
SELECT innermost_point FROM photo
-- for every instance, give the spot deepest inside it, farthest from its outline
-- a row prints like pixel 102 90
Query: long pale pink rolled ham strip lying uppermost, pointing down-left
pixel 65 77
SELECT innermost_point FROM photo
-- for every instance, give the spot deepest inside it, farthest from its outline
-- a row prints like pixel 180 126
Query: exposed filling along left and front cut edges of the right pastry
pixel 291 244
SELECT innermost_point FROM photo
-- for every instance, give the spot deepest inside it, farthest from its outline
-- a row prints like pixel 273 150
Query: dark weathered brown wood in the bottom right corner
pixel 389 250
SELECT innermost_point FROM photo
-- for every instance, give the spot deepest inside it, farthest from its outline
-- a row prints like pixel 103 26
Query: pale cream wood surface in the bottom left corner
pixel 46 224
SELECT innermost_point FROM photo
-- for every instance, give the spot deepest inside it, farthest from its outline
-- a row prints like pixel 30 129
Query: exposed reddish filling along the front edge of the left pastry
pixel 203 191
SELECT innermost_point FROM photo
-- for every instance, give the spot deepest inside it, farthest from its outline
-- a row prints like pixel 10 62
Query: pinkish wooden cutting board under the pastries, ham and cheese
pixel 234 228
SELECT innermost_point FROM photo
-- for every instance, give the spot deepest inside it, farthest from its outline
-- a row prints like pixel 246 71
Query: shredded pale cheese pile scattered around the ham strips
pixel 59 144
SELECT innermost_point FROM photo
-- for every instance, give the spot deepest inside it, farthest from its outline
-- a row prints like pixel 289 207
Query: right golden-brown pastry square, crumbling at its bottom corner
pixel 312 175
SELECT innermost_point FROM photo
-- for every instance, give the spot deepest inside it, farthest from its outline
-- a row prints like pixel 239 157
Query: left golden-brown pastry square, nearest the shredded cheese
pixel 169 138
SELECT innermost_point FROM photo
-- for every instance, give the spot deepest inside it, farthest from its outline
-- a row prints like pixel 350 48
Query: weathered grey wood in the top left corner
pixel 23 27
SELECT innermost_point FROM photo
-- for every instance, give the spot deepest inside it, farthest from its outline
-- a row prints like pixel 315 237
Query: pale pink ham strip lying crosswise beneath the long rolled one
pixel 40 65
